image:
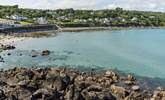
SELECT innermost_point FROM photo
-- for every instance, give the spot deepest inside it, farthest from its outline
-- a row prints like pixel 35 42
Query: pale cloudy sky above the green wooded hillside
pixel 145 5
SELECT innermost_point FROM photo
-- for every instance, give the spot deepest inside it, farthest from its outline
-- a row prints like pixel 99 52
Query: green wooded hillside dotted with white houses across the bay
pixel 87 18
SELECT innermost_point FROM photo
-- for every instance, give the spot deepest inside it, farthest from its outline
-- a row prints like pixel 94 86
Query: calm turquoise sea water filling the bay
pixel 138 51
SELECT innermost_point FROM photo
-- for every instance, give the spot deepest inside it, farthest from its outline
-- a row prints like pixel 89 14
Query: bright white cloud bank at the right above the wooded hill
pixel 149 5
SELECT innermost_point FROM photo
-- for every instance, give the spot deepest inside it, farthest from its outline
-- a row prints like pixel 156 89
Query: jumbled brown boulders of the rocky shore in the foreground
pixel 71 84
